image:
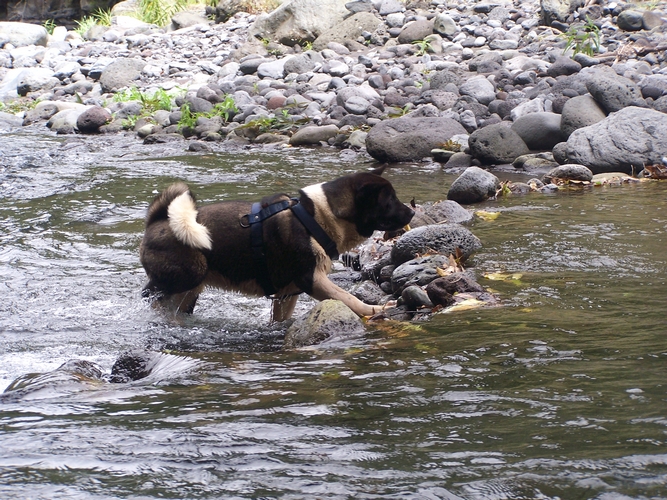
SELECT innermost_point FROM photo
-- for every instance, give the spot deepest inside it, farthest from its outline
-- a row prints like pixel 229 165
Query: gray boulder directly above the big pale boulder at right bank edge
pixel 613 92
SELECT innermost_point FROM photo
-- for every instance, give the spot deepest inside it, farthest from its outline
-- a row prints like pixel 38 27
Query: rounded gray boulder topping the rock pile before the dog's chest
pixel 440 238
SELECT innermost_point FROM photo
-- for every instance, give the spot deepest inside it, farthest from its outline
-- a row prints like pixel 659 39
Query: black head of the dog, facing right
pixel 369 201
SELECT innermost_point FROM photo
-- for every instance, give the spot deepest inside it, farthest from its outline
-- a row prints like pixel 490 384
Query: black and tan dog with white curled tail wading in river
pixel 186 248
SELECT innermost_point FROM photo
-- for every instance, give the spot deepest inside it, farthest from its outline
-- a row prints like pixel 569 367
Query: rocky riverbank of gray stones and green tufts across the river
pixel 471 84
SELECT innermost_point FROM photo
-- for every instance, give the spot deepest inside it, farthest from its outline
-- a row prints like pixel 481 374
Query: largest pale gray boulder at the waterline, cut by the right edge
pixel 622 142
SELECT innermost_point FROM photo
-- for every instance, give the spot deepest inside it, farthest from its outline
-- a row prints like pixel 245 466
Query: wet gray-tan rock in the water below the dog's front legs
pixel 329 318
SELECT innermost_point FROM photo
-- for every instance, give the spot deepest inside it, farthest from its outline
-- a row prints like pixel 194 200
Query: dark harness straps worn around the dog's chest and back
pixel 254 220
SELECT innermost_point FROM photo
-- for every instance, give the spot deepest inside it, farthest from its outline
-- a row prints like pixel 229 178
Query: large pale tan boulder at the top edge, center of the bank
pixel 297 21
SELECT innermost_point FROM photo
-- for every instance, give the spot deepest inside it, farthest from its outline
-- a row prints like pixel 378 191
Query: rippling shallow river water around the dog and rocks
pixel 559 393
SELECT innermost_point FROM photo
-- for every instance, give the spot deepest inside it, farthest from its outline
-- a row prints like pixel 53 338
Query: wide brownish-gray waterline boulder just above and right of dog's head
pixel 406 139
